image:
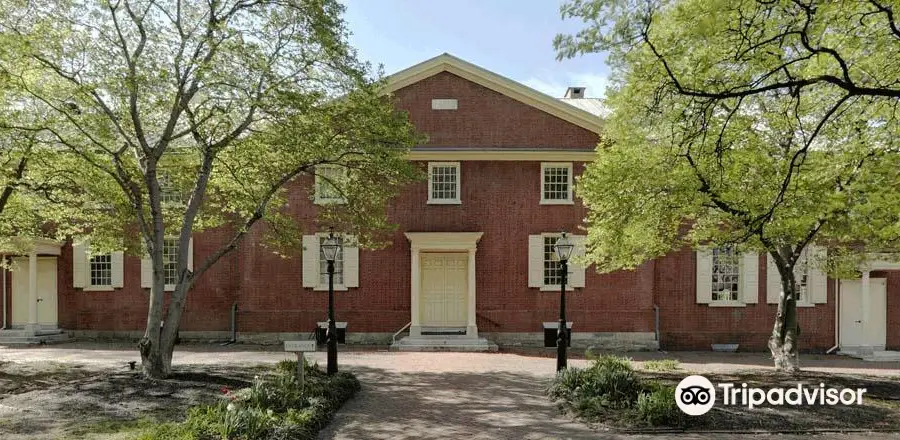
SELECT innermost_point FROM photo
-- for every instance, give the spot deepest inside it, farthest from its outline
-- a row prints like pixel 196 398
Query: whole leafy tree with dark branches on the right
pixel 765 126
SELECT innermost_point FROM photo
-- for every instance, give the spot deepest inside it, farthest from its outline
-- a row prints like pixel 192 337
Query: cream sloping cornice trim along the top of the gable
pixel 498 83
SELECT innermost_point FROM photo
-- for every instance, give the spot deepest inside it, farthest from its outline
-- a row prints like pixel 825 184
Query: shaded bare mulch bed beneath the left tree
pixel 62 401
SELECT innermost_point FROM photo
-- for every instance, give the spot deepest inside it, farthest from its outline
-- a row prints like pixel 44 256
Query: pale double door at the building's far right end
pixel 853 329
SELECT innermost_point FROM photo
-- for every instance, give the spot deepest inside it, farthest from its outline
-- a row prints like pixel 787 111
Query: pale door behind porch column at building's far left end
pixel 46 292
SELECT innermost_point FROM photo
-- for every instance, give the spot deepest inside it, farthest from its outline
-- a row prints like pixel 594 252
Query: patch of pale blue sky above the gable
pixel 509 37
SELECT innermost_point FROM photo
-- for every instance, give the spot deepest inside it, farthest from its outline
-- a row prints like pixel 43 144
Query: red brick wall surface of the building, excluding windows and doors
pixel 500 199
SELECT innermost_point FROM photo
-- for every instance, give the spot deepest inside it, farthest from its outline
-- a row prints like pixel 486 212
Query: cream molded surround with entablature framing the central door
pixel 441 242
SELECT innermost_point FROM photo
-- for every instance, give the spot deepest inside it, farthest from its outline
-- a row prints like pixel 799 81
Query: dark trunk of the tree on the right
pixel 783 342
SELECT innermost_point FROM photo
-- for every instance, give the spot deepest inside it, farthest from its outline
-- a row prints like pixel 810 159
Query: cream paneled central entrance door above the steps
pixel 444 290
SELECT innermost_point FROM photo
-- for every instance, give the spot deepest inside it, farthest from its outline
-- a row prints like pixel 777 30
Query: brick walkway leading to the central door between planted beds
pixel 444 396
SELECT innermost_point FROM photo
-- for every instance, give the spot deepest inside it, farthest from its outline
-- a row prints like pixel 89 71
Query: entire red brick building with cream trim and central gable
pixel 471 257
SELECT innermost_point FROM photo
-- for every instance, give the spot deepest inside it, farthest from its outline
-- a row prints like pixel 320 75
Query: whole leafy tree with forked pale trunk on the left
pixel 202 114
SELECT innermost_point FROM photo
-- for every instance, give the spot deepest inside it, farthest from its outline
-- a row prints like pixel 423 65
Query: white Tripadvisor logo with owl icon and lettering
pixel 696 395
